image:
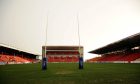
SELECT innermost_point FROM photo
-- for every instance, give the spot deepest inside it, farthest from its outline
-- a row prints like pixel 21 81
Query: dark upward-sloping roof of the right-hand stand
pixel 126 43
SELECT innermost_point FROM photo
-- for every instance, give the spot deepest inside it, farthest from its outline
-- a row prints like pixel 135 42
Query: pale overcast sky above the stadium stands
pixel 23 23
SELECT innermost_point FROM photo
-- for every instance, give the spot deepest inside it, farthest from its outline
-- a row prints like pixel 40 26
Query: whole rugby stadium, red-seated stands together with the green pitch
pixel 115 65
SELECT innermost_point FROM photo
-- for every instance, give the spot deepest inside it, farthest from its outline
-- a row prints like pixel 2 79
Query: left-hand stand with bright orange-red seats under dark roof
pixel 10 55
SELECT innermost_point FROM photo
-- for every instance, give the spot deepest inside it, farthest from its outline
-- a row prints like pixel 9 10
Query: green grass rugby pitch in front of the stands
pixel 68 73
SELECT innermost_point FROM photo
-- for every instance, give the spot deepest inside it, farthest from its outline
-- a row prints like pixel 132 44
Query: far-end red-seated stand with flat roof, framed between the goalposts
pixel 62 53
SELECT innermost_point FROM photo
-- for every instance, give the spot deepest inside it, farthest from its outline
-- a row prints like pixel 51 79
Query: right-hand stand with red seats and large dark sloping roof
pixel 126 50
